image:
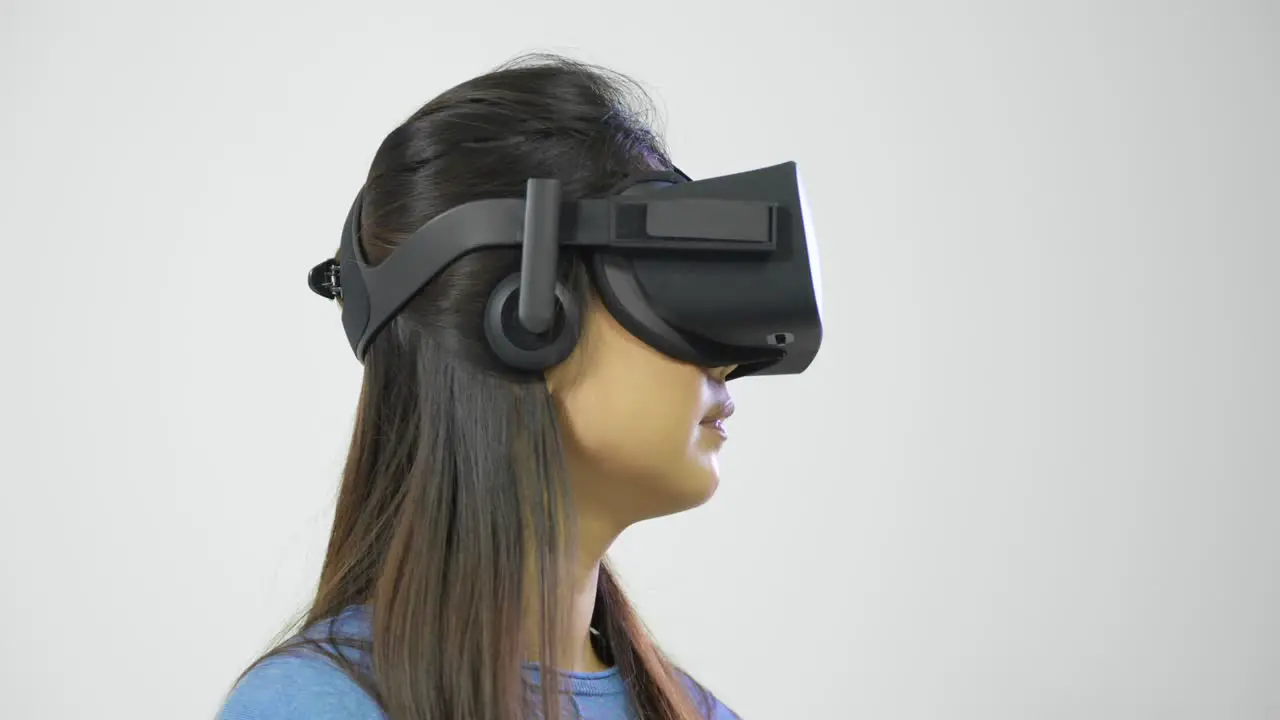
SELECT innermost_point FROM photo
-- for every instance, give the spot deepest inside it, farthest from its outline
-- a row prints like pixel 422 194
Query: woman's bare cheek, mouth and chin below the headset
pixel 642 431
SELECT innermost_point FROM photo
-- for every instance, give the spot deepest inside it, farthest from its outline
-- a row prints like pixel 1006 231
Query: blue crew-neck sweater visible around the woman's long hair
pixel 305 686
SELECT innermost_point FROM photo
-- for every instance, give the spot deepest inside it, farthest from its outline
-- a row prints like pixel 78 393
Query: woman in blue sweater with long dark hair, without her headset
pixel 478 502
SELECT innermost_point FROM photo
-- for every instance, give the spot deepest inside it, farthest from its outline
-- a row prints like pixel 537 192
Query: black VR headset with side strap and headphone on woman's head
pixel 715 272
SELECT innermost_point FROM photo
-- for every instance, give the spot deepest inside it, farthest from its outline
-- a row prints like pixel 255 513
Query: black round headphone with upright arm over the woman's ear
pixel 533 321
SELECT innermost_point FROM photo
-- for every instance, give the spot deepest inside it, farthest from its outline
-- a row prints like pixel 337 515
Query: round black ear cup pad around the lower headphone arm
pixel 522 349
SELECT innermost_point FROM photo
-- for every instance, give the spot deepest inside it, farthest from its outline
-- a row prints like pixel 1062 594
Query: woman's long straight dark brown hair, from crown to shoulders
pixel 452 518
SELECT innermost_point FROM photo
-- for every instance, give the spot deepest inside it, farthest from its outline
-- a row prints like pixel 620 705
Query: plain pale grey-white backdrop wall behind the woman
pixel 1034 472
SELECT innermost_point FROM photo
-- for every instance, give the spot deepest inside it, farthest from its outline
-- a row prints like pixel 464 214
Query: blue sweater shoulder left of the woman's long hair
pixel 299 687
